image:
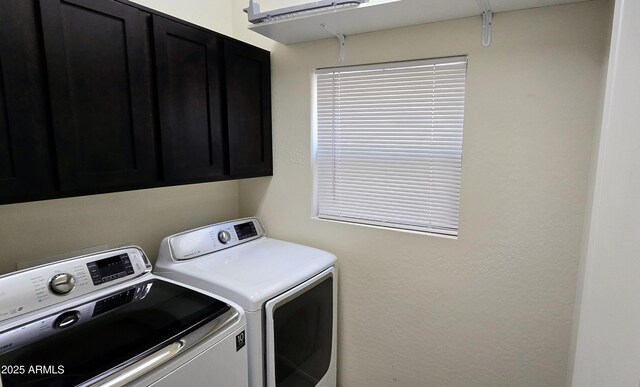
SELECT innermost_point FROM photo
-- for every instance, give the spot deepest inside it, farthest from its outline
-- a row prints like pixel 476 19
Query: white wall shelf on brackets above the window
pixel 380 15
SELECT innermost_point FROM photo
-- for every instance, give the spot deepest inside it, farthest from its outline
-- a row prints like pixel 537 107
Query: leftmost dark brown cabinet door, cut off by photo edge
pixel 26 170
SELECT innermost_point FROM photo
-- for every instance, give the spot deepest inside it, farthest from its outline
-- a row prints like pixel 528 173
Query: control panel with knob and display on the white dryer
pixel 209 239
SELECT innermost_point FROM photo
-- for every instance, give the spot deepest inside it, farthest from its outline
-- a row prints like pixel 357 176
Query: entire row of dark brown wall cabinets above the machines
pixel 100 96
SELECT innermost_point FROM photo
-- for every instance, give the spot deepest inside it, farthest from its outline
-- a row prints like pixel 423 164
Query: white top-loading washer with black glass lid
pixel 104 320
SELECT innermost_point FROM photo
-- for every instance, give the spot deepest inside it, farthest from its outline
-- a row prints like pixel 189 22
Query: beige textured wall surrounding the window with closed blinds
pixel 494 307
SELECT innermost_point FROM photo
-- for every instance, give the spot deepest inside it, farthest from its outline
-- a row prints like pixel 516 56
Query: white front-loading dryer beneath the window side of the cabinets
pixel 288 292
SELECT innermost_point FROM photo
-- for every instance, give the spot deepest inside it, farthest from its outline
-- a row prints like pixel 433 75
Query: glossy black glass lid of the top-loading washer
pixel 95 339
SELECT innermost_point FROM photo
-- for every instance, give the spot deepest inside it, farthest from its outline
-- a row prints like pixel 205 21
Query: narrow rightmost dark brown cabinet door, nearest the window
pixel 248 90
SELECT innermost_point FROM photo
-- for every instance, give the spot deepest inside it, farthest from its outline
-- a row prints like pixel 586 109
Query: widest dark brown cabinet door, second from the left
pixel 99 80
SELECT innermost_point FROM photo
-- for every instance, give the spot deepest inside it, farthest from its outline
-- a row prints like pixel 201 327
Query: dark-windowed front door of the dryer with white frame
pixel 301 334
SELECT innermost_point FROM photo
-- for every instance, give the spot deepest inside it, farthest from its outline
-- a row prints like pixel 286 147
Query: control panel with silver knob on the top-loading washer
pixel 42 286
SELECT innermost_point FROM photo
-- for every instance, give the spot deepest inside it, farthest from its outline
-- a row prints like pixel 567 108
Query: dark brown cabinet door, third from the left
pixel 188 77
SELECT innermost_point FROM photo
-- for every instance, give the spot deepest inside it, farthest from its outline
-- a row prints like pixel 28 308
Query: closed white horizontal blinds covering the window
pixel 388 144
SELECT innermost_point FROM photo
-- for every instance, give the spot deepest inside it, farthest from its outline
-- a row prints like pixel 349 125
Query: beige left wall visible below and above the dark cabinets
pixel 31 232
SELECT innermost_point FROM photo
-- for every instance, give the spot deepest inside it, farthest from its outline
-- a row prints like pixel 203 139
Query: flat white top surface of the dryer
pixel 251 273
